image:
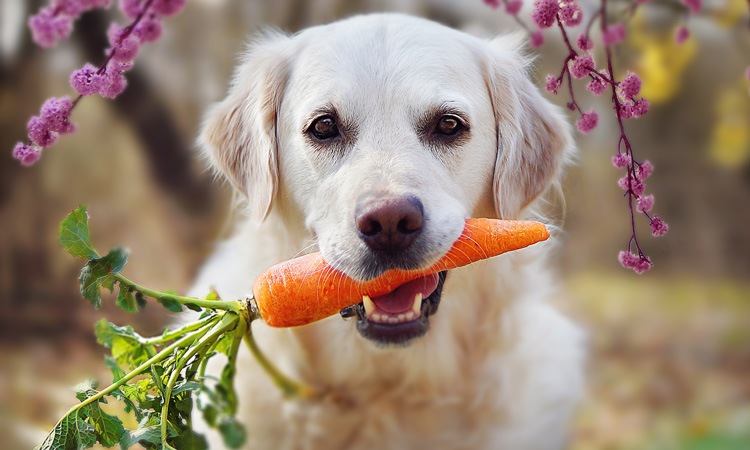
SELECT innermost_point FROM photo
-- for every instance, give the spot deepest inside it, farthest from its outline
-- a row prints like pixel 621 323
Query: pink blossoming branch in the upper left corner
pixel 55 22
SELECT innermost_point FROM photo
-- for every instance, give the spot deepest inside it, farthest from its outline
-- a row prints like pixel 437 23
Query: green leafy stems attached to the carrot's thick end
pixel 154 378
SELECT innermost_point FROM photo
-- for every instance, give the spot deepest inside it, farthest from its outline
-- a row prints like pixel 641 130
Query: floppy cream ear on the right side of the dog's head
pixel 533 136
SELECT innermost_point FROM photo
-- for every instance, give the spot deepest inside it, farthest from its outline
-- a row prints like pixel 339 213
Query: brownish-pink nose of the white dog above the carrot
pixel 389 224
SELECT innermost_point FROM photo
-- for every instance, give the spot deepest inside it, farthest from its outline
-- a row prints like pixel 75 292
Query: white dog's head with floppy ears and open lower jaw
pixel 385 132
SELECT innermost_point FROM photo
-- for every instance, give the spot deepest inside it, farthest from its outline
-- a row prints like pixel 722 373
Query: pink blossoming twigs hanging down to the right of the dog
pixel 579 64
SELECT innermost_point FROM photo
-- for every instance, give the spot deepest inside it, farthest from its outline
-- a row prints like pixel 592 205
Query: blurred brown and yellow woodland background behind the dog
pixel 670 365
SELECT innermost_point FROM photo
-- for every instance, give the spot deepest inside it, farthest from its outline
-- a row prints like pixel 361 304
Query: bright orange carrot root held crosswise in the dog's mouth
pixel 307 289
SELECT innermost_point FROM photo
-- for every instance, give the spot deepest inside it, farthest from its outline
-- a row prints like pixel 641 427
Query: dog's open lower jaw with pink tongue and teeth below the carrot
pixel 401 315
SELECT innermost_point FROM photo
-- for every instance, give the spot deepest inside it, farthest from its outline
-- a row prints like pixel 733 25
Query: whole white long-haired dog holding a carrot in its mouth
pixel 372 139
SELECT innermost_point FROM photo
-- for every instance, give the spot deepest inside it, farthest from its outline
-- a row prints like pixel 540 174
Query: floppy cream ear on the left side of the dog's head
pixel 239 133
